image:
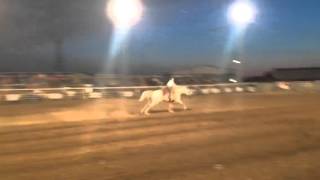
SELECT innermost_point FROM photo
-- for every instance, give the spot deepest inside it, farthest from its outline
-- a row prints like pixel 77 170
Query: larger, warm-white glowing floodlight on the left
pixel 124 13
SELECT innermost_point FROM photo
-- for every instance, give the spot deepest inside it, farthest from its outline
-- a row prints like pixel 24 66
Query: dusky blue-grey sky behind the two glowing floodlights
pixel 170 34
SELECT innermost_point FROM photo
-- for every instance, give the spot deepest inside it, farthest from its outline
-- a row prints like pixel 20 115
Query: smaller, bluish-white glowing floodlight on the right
pixel 242 13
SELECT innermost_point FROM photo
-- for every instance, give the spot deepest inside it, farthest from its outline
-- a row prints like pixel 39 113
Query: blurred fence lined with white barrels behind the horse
pixel 91 92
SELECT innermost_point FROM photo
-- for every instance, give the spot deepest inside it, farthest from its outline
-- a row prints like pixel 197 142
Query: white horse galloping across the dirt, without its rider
pixel 154 97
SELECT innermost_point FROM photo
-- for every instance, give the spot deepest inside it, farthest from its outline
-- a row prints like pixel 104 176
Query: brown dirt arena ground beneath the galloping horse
pixel 222 137
